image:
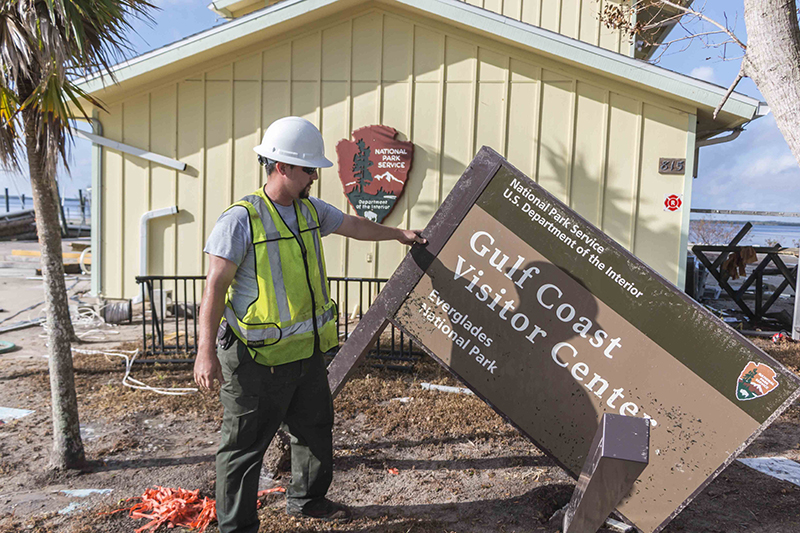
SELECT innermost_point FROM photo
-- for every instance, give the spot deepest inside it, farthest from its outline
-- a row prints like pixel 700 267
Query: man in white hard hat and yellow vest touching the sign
pixel 267 280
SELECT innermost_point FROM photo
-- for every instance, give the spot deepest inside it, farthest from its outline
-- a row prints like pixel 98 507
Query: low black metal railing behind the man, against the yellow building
pixel 171 305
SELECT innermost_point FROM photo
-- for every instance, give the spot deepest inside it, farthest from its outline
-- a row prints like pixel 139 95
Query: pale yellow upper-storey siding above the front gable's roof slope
pixel 578 19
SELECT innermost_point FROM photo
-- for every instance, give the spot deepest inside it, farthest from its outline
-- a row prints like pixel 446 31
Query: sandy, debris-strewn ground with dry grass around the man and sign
pixel 459 466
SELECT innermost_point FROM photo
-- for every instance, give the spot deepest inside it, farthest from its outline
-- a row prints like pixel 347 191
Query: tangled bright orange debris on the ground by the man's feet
pixel 177 507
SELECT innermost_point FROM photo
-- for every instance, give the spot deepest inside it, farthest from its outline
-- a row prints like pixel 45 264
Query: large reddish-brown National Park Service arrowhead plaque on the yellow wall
pixel 374 167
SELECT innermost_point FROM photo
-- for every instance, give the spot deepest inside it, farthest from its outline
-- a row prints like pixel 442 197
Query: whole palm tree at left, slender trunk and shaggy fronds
pixel 45 45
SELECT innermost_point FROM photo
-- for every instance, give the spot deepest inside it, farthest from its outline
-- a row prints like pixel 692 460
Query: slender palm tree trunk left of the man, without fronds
pixel 67 446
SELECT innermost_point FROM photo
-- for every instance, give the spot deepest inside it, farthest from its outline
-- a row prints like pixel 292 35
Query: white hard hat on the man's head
pixel 295 141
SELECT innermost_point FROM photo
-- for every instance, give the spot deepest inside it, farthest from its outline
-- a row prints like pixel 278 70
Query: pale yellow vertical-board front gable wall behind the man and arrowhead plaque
pixel 591 142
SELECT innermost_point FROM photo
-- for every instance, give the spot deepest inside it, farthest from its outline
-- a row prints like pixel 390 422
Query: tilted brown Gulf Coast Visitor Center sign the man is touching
pixel 553 324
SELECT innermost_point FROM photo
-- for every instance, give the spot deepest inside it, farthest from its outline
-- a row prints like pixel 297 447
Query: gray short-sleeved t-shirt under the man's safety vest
pixel 231 240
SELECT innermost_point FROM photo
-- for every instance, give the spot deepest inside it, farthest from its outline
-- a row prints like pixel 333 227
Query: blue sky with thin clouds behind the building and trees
pixel 755 172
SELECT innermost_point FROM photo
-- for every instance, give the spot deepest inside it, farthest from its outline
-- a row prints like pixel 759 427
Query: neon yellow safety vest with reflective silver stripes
pixel 293 308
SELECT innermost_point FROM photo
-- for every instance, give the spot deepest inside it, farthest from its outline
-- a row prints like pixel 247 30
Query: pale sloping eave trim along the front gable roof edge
pixel 699 93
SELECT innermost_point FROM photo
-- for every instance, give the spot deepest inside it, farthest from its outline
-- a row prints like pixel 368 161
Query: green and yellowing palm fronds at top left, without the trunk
pixel 44 46
